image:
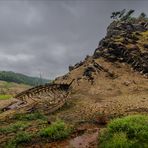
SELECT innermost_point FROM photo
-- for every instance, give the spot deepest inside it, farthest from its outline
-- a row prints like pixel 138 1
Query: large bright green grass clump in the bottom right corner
pixel 126 132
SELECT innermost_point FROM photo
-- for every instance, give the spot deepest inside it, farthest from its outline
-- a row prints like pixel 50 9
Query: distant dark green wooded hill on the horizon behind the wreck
pixel 10 76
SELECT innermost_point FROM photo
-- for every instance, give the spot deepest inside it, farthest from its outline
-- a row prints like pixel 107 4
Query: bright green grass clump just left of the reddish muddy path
pixel 56 131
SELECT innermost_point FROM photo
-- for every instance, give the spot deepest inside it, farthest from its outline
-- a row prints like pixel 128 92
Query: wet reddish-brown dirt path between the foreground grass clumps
pixel 85 136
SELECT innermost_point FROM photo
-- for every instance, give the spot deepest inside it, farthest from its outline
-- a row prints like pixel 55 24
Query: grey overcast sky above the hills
pixel 47 36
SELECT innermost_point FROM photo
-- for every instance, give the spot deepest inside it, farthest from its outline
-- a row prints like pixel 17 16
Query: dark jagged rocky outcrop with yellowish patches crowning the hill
pixel 124 43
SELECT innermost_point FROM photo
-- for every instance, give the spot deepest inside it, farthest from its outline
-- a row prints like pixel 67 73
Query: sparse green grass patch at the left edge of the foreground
pixel 13 128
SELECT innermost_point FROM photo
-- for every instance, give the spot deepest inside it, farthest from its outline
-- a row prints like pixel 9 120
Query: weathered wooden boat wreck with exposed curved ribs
pixel 44 97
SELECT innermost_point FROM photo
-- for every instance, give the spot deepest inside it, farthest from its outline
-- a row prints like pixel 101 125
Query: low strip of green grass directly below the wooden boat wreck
pixel 31 116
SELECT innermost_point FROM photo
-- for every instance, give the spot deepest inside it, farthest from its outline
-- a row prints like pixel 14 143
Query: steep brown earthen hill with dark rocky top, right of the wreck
pixel 114 80
